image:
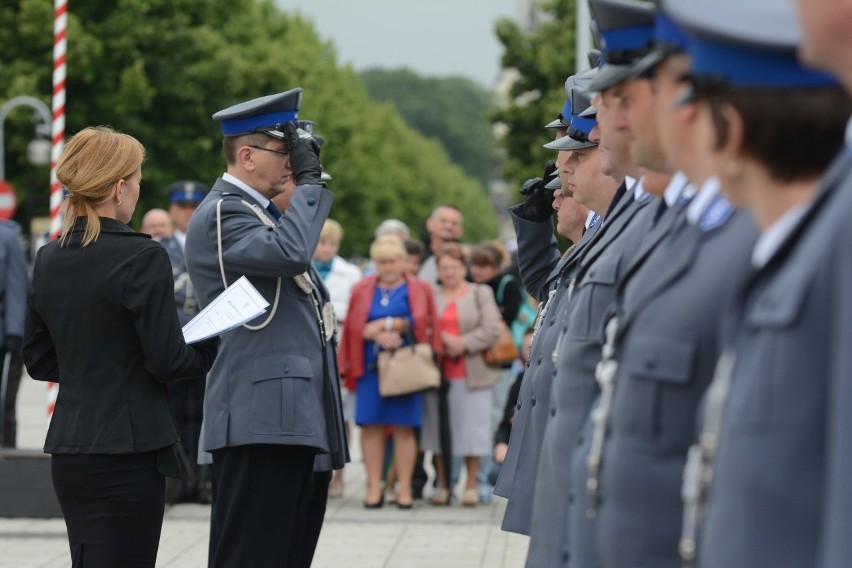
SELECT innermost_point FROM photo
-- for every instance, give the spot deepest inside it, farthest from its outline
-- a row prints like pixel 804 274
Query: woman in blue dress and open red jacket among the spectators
pixel 385 309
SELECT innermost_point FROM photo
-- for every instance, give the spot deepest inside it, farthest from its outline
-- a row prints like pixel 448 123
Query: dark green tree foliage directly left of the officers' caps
pixel 543 60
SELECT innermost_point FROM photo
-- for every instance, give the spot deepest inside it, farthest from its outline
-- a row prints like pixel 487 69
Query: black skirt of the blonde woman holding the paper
pixel 113 507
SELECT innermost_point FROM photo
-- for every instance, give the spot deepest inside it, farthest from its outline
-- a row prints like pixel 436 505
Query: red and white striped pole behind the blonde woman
pixel 57 136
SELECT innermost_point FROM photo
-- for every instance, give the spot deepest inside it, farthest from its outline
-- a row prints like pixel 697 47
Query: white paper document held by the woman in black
pixel 239 303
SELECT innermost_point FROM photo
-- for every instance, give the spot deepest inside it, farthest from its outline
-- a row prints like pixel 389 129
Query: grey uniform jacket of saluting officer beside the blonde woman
pixel 277 385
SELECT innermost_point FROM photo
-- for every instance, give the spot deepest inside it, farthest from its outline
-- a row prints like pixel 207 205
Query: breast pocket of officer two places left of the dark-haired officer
pixel 594 294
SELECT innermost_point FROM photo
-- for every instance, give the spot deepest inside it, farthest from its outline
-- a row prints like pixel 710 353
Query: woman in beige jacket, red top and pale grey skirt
pixel 470 322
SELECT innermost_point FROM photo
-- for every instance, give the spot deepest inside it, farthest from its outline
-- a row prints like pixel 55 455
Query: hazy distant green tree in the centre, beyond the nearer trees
pixel 451 109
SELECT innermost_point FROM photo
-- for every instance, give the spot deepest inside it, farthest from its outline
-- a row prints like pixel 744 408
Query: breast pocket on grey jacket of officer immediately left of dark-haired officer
pixel 654 402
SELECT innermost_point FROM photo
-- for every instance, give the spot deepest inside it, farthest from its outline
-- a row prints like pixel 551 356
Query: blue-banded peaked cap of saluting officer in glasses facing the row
pixel 266 114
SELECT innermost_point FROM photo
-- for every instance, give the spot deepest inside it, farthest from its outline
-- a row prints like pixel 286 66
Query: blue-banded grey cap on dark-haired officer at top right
pixel 726 46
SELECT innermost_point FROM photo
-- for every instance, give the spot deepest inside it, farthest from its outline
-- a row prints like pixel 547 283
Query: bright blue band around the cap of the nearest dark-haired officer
pixel 748 67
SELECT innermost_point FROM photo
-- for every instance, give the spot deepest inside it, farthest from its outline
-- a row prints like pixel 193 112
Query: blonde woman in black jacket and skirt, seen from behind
pixel 102 323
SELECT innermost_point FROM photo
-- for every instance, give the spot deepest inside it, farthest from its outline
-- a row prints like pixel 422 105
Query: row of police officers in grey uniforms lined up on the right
pixel 687 399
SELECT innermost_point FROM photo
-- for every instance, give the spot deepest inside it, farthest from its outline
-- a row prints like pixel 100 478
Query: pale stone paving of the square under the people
pixel 352 537
